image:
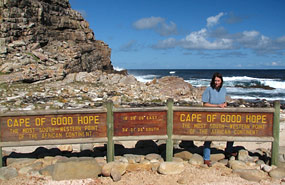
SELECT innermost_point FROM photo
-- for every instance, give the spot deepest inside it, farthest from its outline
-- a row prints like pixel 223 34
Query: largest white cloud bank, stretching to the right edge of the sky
pixel 220 39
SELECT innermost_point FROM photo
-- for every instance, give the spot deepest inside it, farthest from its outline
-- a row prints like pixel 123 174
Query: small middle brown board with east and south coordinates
pixel 140 123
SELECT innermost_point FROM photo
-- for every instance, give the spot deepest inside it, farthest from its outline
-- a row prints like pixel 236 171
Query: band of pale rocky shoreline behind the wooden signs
pixel 90 90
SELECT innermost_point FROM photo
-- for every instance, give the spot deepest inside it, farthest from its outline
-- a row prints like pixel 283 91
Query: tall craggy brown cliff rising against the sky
pixel 46 39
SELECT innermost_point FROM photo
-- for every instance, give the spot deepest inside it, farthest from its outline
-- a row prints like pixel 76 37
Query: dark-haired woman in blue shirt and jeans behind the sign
pixel 215 96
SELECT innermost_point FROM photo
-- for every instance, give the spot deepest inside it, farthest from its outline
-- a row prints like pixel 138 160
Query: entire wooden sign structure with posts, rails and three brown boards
pixel 109 124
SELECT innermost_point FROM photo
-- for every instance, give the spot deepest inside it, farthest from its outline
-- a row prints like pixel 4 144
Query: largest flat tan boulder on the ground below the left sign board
pixel 76 169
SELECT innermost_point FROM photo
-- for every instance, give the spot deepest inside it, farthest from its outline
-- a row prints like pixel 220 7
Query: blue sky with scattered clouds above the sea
pixel 189 34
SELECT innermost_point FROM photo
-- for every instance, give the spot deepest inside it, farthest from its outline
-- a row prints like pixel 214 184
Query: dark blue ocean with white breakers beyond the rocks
pixel 250 85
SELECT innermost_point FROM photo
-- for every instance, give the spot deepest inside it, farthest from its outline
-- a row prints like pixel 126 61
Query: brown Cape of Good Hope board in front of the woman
pixel 222 124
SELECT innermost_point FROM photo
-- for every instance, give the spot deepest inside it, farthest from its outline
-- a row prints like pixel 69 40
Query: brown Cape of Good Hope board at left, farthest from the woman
pixel 44 127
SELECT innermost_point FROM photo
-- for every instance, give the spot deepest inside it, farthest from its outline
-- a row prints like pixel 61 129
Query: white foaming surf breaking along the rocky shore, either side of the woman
pixel 234 85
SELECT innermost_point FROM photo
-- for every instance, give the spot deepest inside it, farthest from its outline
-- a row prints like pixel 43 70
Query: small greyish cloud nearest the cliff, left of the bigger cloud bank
pixel 157 24
